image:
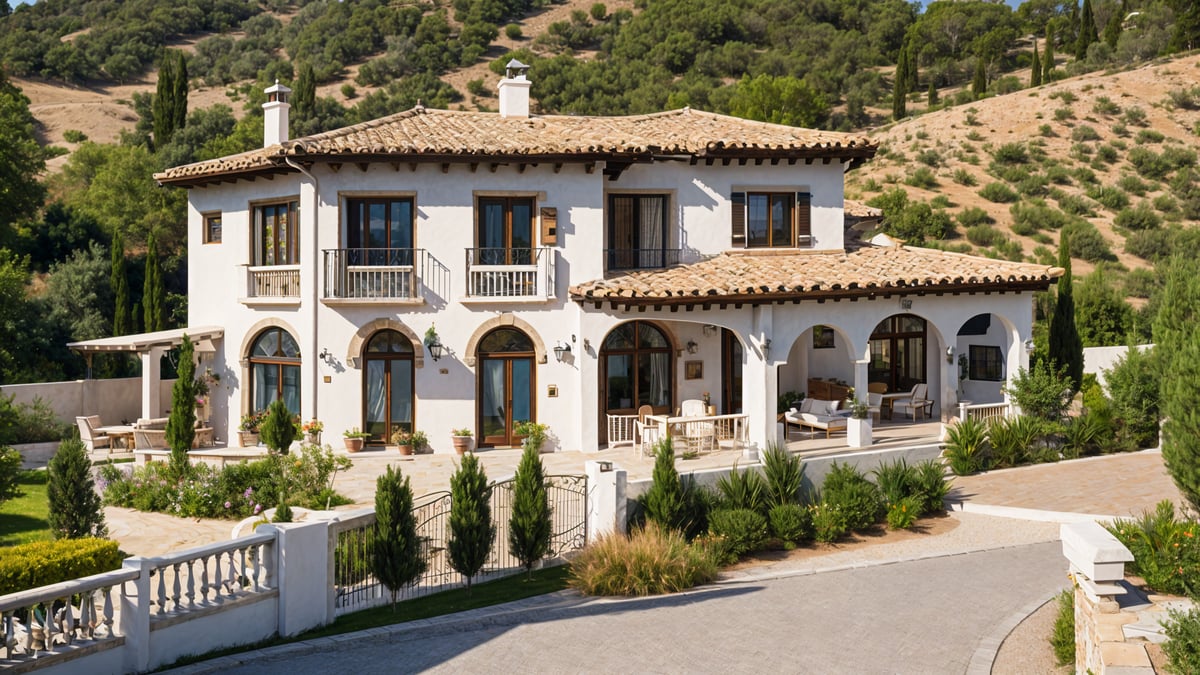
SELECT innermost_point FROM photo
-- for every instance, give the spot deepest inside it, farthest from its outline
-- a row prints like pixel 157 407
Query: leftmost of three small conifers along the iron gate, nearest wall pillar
pixel 397 558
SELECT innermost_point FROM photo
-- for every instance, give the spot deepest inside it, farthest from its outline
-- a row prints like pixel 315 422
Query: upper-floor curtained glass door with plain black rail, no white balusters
pixel 638 232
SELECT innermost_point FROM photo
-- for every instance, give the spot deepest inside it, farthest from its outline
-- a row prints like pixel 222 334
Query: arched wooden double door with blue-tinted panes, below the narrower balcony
pixel 506 386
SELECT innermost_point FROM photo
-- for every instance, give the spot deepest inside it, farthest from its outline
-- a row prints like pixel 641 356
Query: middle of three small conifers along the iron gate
pixel 472 531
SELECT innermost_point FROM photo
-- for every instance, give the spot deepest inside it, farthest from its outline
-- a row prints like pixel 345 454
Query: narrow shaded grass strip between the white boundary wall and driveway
pixel 500 592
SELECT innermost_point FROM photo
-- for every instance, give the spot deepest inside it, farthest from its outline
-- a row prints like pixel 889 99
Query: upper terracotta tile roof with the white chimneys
pixel 465 136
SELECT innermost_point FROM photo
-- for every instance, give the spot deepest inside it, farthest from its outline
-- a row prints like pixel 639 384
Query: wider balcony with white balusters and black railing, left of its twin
pixel 371 276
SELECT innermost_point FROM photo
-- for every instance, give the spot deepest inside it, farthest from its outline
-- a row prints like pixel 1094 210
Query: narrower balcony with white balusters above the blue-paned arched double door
pixel 518 274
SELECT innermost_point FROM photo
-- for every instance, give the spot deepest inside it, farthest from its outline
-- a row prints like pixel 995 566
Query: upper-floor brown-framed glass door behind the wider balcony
pixel 380 230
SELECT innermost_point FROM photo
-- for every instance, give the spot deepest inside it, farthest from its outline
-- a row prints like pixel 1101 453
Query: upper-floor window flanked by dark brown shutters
pixel 772 220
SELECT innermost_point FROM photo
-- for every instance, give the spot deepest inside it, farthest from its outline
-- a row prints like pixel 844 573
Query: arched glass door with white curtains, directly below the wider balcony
pixel 387 386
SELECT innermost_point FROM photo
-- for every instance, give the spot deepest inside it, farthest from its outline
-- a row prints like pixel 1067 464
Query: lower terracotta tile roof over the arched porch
pixel 776 276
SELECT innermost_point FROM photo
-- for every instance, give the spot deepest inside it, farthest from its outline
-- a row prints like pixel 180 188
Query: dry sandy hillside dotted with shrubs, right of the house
pixel 1071 130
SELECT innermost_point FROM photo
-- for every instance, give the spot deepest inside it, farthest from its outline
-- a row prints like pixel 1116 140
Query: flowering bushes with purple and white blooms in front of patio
pixel 236 492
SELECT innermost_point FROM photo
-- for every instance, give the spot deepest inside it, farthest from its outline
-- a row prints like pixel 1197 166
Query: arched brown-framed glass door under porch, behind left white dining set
pixel 637 369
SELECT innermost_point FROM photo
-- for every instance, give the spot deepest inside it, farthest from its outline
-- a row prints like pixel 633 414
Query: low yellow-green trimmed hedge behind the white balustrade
pixel 41 564
